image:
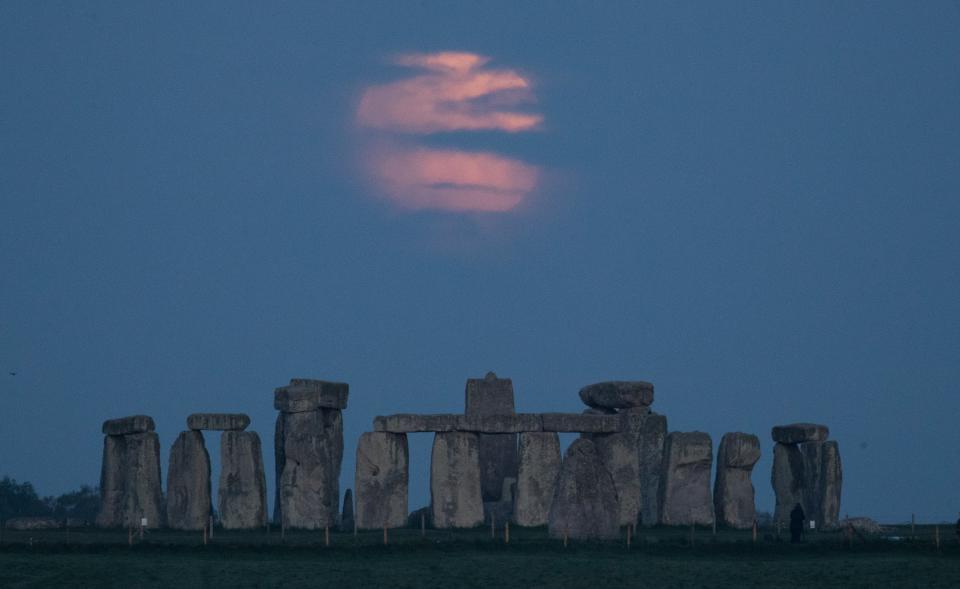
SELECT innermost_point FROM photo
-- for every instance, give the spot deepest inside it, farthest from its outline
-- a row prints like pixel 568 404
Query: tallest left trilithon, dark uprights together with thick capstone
pixel 309 451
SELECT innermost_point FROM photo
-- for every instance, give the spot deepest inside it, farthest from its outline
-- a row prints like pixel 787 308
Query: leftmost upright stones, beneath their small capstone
pixel 130 481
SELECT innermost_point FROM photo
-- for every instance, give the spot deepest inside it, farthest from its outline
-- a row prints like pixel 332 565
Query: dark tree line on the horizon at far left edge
pixel 21 500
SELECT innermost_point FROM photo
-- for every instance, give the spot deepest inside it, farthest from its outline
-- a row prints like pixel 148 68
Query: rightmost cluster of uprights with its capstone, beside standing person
pixel 807 470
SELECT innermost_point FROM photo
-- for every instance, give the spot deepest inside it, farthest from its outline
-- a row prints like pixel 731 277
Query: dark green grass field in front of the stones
pixel 470 558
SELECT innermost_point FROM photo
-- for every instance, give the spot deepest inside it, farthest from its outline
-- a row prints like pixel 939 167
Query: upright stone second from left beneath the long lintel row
pixel 455 497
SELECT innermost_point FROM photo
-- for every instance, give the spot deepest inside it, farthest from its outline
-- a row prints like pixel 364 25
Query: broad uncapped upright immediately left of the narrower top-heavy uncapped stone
pixel 685 496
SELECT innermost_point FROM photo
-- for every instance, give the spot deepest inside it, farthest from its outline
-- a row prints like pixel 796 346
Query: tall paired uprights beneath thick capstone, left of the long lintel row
pixel 309 452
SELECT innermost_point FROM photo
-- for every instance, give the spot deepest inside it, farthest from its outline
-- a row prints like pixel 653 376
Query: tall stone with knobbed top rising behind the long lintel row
pixel 487 397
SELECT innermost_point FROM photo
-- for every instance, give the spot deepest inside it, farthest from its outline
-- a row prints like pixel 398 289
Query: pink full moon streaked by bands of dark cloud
pixel 454 92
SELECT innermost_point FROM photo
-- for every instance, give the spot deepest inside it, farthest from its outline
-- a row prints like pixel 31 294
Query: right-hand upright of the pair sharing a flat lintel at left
pixel 242 493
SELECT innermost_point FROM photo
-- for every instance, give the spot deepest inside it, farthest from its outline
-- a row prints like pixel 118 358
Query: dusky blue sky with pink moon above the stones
pixel 752 205
